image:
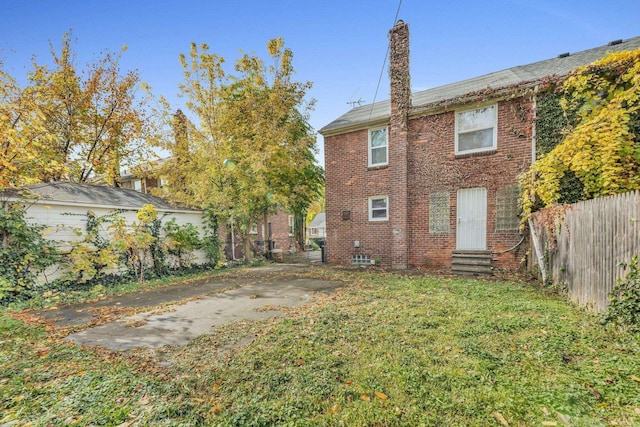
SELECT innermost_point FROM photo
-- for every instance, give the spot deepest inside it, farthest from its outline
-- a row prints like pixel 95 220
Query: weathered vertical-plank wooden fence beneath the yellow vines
pixel 584 244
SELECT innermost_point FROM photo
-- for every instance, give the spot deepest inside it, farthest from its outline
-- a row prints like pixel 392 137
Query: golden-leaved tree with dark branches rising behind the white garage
pixel 95 119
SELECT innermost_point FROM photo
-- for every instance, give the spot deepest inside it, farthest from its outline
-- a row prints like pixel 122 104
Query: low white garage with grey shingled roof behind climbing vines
pixel 63 207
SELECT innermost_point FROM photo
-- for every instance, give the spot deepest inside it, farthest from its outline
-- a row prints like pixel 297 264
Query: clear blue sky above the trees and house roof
pixel 338 45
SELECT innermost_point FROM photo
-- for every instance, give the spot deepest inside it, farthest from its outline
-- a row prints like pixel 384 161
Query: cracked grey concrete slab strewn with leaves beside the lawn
pixel 257 294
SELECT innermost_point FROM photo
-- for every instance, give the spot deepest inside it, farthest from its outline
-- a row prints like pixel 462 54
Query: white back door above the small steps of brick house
pixel 471 230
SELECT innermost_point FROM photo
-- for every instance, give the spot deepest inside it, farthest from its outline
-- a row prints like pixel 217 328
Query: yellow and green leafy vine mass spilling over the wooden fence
pixel 601 147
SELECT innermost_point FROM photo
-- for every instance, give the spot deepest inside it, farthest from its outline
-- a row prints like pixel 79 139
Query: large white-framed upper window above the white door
pixel 476 130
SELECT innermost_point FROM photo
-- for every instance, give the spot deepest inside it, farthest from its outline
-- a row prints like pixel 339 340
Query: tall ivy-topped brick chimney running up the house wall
pixel 398 142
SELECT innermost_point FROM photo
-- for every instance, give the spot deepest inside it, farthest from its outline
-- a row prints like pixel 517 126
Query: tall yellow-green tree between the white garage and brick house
pixel 248 148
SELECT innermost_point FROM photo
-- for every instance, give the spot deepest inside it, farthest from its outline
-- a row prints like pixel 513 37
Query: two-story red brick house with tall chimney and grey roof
pixel 430 178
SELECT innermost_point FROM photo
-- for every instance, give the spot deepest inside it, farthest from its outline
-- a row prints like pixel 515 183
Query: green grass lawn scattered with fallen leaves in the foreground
pixel 386 350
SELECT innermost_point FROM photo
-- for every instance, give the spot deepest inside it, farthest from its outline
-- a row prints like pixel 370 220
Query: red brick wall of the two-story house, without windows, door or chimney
pixel 432 167
